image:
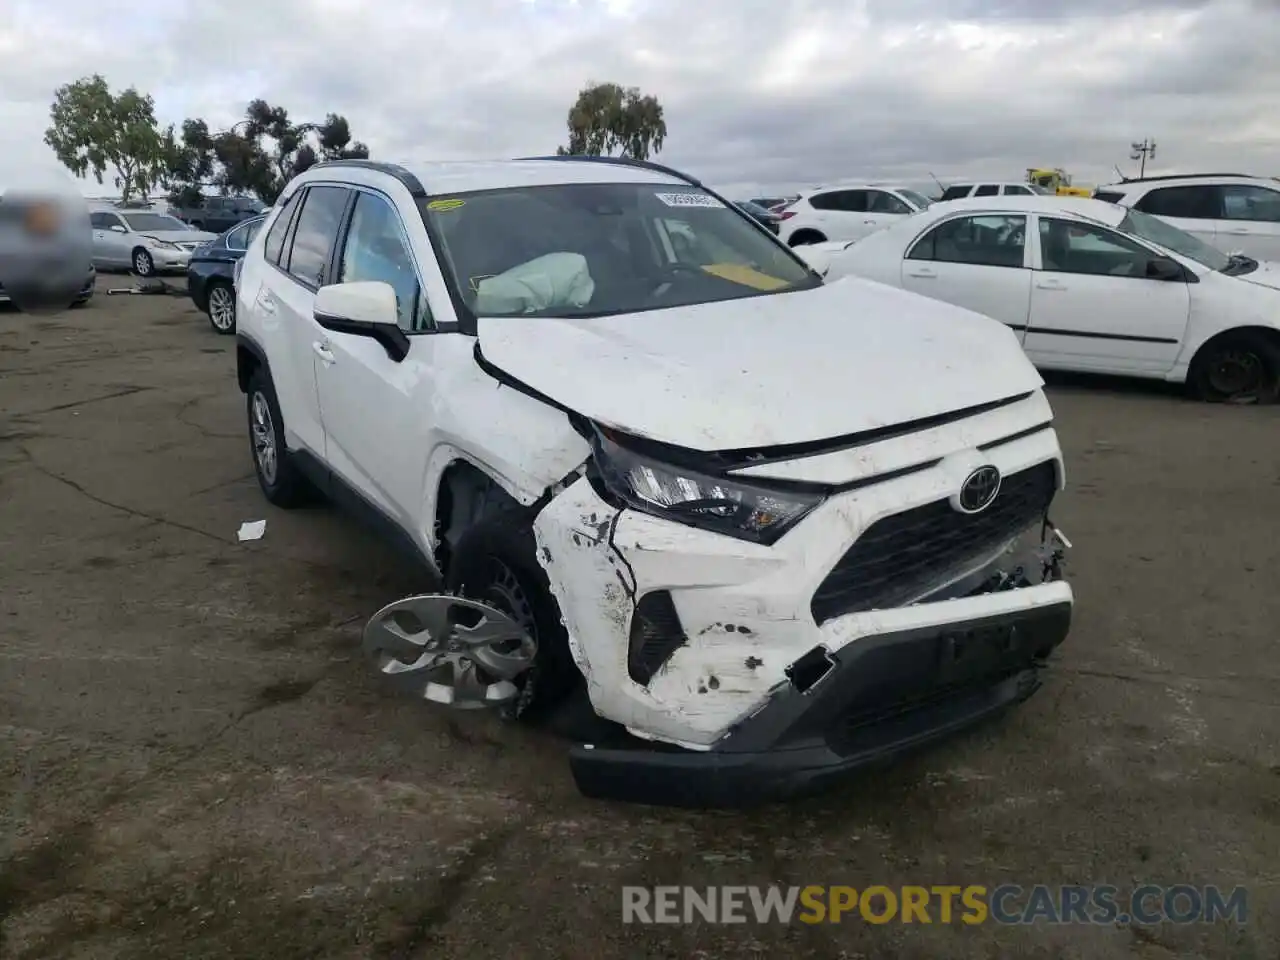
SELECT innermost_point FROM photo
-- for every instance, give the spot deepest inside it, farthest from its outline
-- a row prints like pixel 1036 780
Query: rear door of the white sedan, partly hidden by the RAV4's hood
pixel 979 262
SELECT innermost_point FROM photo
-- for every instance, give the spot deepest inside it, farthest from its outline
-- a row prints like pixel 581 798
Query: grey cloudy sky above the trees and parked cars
pixel 758 94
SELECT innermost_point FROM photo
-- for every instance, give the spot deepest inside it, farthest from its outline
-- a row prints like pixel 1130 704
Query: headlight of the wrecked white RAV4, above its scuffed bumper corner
pixel 726 506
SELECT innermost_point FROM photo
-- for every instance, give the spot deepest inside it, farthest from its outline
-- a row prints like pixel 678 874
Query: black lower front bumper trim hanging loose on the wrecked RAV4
pixel 883 696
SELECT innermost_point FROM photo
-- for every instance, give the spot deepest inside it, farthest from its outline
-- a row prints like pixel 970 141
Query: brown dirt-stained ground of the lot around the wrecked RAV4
pixel 195 762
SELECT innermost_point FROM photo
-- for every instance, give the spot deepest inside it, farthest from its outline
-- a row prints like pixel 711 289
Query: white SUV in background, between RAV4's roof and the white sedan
pixel 847 213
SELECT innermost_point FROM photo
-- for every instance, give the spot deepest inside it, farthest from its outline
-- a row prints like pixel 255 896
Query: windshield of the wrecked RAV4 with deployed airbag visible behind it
pixel 602 249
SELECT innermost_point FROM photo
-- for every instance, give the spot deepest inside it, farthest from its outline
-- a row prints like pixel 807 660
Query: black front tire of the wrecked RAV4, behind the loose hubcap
pixel 496 563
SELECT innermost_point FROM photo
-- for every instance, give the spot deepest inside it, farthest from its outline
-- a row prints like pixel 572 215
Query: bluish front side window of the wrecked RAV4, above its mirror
pixel 376 250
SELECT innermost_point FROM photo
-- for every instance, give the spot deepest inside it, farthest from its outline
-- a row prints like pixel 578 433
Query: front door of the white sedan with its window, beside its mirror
pixel 1094 309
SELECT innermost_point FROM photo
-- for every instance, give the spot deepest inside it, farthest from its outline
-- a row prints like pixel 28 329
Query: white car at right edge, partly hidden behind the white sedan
pixel 1235 213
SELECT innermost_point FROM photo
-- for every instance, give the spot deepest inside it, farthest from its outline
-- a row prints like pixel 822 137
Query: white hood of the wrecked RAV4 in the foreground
pixel 760 372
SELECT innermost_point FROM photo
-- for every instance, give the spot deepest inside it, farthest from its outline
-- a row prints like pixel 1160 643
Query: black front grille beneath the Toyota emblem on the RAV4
pixel 902 557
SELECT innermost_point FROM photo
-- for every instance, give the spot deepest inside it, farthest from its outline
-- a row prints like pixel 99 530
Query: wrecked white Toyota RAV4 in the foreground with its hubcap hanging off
pixel 769 528
